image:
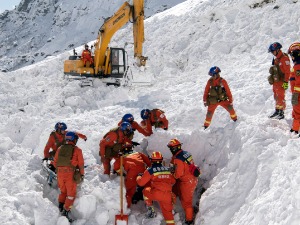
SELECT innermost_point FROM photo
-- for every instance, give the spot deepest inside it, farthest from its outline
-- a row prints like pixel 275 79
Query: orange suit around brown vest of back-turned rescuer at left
pixel 65 175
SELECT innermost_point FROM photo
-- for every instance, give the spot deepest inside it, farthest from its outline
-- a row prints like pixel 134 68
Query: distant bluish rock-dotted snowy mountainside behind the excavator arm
pixel 37 29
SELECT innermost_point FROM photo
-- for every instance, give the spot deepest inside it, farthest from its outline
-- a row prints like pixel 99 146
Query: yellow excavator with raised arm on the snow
pixel 111 62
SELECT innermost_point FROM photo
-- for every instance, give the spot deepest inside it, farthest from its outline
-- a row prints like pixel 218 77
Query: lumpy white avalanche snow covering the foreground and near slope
pixel 250 168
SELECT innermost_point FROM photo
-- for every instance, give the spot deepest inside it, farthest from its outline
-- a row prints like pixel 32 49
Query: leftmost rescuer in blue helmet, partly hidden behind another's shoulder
pixel 56 139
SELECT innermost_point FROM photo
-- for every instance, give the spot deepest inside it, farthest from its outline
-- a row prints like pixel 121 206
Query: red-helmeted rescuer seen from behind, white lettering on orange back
pixel 160 189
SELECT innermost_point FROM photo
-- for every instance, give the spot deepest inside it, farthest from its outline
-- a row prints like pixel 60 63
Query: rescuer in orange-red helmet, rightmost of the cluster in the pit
pixel 186 182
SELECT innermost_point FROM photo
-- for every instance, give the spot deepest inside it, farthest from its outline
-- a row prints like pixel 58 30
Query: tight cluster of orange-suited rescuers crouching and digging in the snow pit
pixel 148 174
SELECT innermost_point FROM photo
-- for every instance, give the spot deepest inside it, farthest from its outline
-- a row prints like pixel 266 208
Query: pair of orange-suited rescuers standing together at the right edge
pixel 280 74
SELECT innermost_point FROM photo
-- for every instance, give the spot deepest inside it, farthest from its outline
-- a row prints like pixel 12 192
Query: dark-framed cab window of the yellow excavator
pixel 117 61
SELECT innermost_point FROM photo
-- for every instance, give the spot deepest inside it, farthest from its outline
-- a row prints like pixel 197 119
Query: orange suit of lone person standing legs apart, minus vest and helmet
pixel 226 104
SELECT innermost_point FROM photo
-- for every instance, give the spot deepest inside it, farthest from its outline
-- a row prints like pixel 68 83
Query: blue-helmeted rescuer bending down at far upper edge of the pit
pixel 154 117
